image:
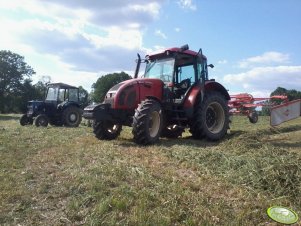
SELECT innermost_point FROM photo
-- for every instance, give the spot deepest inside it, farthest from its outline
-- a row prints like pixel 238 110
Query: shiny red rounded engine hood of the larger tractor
pixel 126 95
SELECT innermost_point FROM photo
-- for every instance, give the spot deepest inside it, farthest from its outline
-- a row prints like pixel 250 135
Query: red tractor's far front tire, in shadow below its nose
pixel 105 130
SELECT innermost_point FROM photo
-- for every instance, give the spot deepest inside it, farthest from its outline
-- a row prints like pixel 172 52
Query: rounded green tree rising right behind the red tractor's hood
pixel 106 82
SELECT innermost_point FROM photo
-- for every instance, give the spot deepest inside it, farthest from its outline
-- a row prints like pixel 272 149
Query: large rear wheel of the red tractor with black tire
pixel 211 117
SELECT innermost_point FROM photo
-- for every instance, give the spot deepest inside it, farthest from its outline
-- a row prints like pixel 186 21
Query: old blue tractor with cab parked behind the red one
pixel 61 107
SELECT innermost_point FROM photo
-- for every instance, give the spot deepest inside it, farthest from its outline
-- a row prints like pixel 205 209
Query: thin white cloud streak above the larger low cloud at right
pixel 266 58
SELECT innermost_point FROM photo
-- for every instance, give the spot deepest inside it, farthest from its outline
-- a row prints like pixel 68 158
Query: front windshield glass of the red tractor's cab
pixel 161 69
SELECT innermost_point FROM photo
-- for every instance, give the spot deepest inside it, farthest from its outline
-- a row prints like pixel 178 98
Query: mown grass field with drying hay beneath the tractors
pixel 65 176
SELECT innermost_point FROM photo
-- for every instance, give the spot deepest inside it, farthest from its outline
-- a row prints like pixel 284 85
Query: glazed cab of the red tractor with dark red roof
pixel 179 69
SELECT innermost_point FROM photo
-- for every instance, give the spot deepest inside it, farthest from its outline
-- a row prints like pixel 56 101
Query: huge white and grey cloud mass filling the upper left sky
pixel 75 40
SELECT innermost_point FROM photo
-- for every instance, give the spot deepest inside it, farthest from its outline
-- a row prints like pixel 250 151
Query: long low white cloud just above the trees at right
pixel 266 79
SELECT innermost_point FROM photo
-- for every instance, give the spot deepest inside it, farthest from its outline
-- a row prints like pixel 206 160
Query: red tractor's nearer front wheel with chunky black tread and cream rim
pixel 147 122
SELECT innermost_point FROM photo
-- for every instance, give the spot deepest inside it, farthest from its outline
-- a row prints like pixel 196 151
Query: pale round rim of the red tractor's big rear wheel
pixel 215 117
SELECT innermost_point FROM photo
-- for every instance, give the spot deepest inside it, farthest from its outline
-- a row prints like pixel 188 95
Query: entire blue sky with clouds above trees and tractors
pixel 255 45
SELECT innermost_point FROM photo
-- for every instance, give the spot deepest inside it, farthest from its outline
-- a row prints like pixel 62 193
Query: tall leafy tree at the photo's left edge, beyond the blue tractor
pixel 14 80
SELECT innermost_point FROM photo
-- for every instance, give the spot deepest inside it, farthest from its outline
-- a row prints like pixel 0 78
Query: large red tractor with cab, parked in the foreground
pixel 173 94
